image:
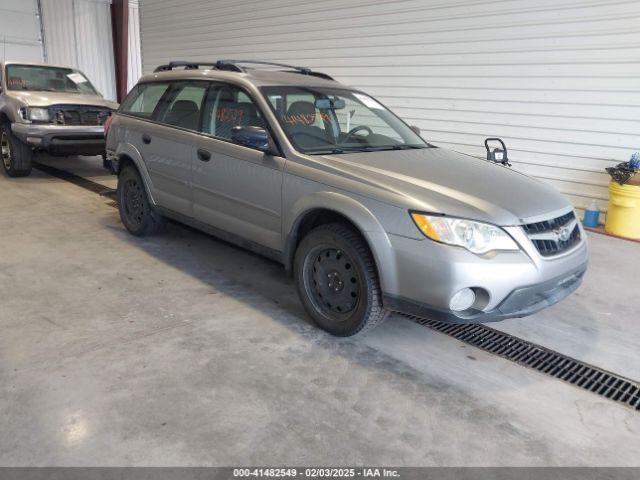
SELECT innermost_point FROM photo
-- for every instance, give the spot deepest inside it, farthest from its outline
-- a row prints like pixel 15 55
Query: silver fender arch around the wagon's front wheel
pixel 359 214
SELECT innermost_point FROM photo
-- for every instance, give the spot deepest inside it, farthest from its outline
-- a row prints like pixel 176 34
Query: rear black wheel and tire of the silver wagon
pixel 136 212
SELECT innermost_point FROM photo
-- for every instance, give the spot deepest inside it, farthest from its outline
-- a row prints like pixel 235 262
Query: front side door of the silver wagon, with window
pixel 236 188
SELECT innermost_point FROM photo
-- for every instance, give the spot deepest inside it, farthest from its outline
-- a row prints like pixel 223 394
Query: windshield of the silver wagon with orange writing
pixel 326 120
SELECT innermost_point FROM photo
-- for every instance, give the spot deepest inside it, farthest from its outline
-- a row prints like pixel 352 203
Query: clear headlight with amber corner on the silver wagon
pixel 477 237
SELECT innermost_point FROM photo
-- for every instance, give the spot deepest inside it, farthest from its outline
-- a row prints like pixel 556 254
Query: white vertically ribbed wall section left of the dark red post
pixel 78 33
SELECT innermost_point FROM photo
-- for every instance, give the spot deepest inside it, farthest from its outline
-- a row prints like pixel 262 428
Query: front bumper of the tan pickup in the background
pixel 61 140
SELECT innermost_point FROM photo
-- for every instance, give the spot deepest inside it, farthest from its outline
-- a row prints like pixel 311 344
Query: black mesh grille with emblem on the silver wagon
pixel 552 237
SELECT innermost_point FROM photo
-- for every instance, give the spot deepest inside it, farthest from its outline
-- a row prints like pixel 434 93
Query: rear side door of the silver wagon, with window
pixel 167 145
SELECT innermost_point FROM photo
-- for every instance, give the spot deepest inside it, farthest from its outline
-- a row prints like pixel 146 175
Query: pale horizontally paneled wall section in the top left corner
pixel 20 31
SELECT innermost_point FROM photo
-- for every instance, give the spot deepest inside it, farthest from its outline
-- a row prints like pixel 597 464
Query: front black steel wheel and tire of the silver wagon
pixel 349 298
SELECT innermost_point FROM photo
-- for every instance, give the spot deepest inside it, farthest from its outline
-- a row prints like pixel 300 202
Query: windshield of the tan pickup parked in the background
pixel 48 79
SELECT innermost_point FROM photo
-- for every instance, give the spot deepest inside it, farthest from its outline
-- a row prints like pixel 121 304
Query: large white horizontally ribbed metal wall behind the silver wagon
pixel 557 79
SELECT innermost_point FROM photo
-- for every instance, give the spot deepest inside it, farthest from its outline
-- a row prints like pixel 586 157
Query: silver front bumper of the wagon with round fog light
pixel 511 284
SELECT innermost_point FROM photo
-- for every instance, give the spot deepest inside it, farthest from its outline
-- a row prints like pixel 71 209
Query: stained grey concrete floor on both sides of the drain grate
pixel 183 350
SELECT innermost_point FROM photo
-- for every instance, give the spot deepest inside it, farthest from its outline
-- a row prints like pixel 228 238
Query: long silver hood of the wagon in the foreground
pixel 442 181
